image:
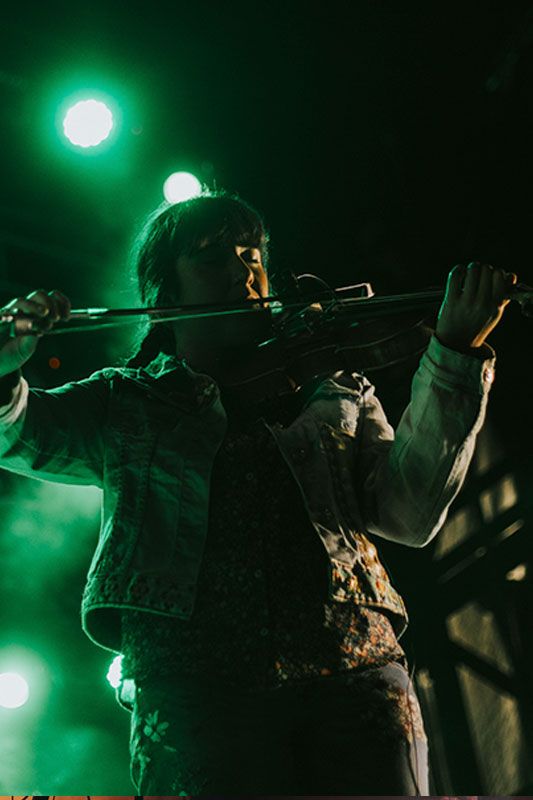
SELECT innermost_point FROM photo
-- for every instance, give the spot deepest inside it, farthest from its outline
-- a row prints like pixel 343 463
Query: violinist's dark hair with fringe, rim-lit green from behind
pixel 178 229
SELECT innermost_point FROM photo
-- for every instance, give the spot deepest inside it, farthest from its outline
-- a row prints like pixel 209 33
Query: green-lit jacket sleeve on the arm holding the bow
pixel 56 434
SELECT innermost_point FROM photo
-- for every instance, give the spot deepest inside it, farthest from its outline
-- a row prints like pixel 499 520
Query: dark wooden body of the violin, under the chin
pixel 283 371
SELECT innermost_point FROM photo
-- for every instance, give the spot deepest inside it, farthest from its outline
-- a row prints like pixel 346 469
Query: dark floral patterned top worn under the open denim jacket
pixel 258 621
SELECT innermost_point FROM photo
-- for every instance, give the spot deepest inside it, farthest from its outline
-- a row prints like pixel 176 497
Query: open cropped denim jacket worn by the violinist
pixel 148 438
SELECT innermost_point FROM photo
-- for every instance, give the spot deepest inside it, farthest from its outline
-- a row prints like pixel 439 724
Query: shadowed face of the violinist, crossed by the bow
pixel 222 272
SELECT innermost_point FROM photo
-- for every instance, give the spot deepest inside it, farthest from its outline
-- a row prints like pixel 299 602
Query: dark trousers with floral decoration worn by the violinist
pixel 356 733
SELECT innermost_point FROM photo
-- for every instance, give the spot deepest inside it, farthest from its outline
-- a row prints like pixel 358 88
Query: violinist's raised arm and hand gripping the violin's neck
pixel 408 480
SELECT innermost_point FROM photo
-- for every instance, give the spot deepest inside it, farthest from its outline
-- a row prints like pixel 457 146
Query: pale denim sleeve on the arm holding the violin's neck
pixel 407 481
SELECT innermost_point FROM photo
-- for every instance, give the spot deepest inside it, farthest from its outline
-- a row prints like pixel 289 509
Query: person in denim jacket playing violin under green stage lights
pixel 238 568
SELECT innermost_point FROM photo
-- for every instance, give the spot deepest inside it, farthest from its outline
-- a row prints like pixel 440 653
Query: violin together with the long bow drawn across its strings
pixel 313 334
